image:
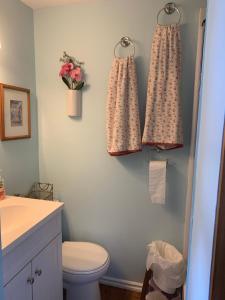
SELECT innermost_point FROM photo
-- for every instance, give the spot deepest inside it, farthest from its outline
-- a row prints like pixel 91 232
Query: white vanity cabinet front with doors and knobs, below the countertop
pixel 32 264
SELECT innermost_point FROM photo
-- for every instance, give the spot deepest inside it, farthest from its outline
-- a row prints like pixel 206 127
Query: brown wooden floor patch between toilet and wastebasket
pixel 112 293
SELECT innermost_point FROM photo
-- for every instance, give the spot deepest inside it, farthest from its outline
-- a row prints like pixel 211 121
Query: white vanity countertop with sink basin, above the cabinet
pixel 22 216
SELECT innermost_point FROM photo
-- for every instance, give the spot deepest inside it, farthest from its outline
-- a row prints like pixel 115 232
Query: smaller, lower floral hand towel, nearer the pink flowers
pixel 123 122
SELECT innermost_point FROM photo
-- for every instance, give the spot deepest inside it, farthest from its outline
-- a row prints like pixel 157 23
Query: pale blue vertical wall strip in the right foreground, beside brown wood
pixel 211 123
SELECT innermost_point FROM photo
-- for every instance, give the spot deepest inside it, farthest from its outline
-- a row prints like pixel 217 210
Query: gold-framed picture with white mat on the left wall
pixel 14 113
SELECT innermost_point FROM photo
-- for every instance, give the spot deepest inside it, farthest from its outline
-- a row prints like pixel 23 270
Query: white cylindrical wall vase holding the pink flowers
pixel 74 103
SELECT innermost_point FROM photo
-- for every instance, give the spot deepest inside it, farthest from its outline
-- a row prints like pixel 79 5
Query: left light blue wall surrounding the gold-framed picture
pixel 18 159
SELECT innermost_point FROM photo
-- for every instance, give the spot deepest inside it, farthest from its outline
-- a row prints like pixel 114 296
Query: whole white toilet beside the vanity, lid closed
pixel 83 265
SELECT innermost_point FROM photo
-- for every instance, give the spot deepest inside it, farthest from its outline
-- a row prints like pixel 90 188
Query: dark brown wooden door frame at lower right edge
pixel 217 270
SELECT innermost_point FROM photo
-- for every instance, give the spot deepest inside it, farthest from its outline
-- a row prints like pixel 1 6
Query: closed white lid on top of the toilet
pixel 80 257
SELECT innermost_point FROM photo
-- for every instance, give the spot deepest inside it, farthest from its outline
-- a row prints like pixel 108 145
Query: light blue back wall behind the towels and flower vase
pixel 106 199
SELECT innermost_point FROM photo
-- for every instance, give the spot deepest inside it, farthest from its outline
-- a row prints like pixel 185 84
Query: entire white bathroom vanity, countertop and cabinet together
pixel 31 238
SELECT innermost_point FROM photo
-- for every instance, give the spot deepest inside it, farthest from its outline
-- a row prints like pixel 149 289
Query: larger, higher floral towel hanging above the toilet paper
pixel 163 121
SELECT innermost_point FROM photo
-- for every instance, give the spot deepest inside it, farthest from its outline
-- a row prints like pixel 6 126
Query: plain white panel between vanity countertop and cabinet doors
pixel 15 260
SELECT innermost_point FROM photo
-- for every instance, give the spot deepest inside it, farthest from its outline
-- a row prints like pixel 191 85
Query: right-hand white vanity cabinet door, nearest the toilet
pixel 47 272
